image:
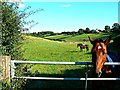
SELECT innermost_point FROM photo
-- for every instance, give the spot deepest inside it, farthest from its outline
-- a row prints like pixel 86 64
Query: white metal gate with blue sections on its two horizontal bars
pixel 63 63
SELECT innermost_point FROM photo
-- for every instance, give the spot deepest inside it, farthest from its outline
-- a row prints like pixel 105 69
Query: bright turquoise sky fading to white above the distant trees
pixel 71 16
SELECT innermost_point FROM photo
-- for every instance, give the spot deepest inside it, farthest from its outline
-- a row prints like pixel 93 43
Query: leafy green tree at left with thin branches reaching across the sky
pixel 11 36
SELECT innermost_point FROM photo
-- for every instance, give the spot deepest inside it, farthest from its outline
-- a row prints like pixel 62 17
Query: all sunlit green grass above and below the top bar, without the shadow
pixel 39 49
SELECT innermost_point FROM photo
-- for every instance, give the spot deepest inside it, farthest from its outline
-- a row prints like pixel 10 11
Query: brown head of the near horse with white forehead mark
pixel 99 51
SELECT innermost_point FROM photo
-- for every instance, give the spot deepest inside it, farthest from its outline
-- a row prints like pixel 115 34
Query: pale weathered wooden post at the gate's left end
pixel 5 67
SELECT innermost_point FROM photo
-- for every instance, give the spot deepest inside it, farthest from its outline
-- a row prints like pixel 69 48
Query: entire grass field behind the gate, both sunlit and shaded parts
pixel 48 50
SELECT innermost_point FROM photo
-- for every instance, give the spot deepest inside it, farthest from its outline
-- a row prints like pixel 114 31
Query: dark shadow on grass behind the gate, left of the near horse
pixel 60 84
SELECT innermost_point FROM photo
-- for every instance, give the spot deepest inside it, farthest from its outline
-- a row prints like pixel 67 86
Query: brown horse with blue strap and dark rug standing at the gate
pixel 100 55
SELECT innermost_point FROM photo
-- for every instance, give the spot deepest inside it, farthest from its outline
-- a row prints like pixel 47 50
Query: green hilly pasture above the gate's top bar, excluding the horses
pixel 48 50
